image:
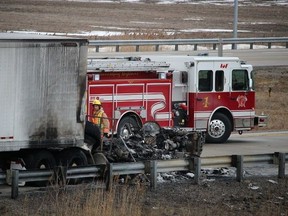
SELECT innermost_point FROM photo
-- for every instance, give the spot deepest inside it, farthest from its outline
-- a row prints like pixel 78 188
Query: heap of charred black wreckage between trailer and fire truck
pixel 151 142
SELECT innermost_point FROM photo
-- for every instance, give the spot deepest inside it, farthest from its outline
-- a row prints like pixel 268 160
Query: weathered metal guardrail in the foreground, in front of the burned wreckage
pixel 154 167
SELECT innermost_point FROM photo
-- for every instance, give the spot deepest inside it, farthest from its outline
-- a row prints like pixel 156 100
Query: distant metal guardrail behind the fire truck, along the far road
pixel 217 43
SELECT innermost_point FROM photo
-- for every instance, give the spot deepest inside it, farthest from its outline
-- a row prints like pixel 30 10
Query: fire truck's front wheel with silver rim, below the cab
pixel 219 129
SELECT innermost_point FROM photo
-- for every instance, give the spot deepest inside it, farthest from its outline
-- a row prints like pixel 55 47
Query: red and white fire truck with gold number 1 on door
pixel 203 93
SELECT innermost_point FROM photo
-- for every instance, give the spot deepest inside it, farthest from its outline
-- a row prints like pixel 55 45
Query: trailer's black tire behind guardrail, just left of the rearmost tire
pixel 41 159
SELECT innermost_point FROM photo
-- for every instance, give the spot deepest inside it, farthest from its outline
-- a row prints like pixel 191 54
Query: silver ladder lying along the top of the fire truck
pixel 125 64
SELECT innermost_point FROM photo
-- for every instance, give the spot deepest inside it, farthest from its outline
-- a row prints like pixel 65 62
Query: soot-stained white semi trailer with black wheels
pixel 42 83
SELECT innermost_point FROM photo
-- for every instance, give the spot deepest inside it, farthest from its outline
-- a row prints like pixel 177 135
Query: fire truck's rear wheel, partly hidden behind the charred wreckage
pixel 127 127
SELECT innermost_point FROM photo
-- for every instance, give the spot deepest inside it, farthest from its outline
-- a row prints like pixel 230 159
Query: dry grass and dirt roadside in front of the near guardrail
pixel 215 198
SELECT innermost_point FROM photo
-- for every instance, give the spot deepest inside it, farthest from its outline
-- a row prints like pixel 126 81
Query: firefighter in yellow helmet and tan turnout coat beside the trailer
pixel 100 118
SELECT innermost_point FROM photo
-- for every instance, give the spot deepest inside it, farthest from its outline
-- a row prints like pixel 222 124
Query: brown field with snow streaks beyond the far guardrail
pixel 72 16
